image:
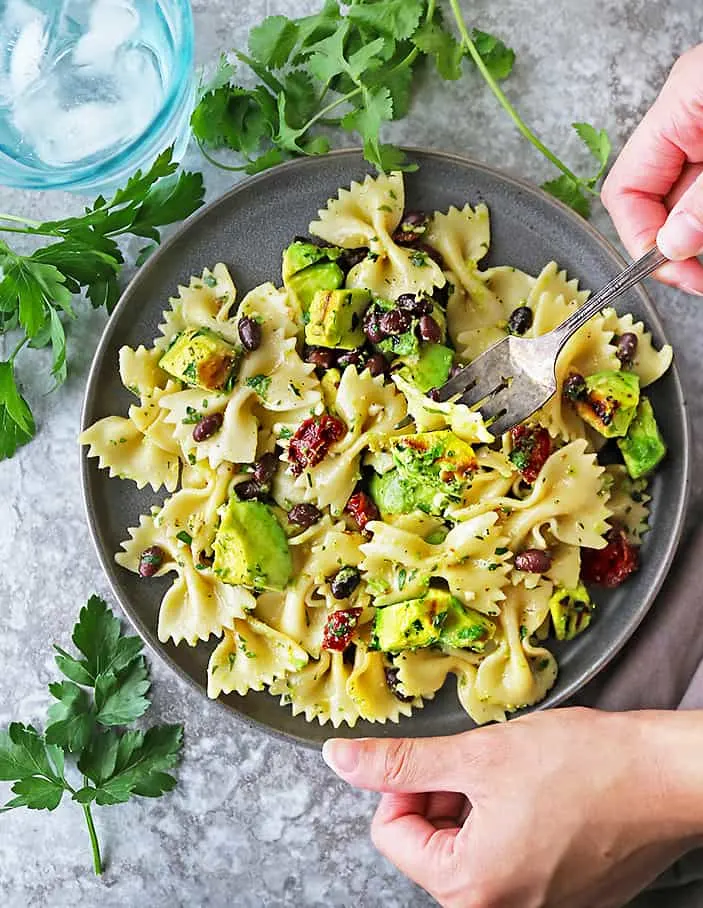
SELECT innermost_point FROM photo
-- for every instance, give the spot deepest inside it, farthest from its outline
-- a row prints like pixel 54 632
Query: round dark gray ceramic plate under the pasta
pixel 248 228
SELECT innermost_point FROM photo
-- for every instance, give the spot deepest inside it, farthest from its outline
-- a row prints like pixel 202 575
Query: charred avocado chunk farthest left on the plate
pixel 202 359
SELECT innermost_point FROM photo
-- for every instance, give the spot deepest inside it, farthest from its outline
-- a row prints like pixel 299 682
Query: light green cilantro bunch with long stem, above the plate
pixel 354 66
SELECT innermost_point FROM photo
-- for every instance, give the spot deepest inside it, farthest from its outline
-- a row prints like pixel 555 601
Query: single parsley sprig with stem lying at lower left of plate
pixel 106 689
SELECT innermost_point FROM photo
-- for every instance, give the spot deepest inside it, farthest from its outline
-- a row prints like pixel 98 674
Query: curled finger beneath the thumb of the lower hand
pixel 411 842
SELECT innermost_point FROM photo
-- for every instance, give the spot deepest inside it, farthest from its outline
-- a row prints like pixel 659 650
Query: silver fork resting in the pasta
pixel 516 376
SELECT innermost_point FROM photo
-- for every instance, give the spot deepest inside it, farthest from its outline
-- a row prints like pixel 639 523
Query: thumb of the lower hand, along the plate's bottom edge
pixel 401 764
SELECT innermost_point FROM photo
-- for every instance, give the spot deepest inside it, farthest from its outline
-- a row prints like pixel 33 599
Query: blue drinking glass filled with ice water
pixel 91 90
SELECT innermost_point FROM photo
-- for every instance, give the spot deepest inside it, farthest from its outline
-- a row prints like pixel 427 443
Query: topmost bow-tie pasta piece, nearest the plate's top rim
pixel 367 214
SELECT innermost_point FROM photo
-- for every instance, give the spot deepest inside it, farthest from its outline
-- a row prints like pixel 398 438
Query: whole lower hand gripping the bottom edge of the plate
pixel 570 808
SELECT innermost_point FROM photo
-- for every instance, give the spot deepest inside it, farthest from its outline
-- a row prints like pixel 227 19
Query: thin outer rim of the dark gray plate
pixel 159 649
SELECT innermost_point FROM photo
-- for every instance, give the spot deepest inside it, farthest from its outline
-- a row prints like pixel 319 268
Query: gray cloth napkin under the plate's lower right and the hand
pixel 661 667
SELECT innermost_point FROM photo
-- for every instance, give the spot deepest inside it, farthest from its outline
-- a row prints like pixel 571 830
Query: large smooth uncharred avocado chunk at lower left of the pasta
pixel 251 548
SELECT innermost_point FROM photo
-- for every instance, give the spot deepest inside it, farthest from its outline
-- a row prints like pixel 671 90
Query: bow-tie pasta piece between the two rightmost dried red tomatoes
pixel 568 498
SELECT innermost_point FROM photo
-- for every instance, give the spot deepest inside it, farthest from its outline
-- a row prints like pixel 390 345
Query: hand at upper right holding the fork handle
pixel 654 191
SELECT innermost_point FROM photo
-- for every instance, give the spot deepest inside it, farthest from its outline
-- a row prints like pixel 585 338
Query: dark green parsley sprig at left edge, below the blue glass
pixel 38 292
